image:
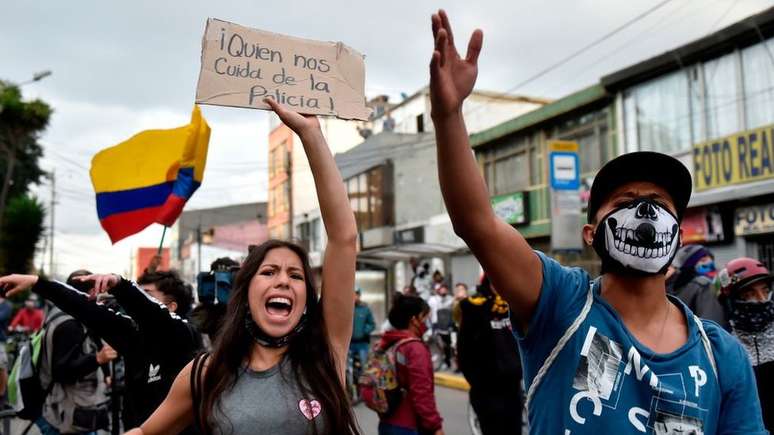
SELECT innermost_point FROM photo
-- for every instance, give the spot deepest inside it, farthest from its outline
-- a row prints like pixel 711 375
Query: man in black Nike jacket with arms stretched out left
pixel 153 337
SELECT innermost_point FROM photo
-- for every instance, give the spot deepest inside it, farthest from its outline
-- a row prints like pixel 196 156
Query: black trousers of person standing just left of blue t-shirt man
pixel 498 412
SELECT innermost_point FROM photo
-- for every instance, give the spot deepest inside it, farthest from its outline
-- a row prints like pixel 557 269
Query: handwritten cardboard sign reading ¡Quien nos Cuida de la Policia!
pixel 242 66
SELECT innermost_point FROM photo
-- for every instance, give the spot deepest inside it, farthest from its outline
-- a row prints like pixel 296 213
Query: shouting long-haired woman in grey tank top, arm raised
pixel 278 366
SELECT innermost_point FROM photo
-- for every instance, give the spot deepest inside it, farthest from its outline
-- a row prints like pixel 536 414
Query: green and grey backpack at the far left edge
pixel 25 391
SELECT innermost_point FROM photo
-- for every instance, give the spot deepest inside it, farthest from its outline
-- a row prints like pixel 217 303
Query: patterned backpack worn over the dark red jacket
pixel 378 385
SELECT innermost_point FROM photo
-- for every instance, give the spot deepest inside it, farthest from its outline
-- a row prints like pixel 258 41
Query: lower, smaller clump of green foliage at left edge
pixel 22 228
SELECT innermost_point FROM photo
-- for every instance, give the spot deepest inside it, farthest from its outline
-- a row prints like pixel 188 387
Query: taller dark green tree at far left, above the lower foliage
pixel 21 123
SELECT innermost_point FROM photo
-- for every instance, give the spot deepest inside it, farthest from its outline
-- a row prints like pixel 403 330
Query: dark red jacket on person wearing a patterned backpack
pixel 415 373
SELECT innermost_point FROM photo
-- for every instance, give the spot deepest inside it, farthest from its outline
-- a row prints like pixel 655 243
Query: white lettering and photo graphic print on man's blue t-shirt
pixel 602 373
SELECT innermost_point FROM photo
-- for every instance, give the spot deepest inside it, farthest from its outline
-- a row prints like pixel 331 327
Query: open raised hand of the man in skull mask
pixel 451 77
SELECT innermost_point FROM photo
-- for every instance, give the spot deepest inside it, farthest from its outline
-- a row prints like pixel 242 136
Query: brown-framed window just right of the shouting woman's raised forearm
pixel 370 198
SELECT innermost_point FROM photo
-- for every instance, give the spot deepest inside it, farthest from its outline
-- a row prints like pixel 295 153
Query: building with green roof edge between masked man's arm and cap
pixel 513 158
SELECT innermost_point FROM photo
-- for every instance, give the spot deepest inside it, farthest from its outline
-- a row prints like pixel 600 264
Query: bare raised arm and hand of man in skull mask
pixel 513 267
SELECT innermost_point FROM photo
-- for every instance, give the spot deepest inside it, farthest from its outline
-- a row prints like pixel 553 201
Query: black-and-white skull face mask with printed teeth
pixel 640 237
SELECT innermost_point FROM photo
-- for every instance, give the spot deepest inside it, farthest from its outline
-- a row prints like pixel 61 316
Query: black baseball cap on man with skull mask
pixel 657 168
